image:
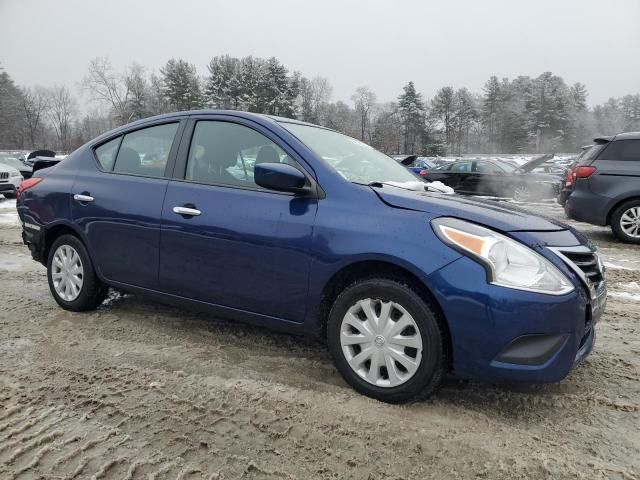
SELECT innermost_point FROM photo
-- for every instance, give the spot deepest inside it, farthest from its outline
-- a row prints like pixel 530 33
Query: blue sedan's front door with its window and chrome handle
pixel 239 245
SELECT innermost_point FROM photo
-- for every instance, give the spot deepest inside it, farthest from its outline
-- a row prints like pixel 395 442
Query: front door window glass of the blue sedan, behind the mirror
pixel 224 153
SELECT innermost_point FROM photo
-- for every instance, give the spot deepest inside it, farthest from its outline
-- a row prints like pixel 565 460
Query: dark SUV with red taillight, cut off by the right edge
pixel 606 189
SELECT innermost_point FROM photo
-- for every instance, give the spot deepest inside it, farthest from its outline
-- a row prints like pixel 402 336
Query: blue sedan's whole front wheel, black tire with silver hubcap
pixel 386 341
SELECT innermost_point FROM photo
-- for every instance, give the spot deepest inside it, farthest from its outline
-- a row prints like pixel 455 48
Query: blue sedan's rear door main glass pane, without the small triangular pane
pixel 145 152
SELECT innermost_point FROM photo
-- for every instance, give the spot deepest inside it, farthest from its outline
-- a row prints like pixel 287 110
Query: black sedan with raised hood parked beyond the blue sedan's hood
pixel 497 178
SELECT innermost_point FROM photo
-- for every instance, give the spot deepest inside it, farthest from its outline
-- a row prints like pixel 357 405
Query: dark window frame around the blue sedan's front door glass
pixel 180 167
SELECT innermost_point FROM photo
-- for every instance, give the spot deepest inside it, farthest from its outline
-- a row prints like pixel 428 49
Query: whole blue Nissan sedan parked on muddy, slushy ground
pixel 297 227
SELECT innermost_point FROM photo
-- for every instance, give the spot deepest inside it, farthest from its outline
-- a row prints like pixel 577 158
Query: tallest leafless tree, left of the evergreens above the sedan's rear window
pixel 105 86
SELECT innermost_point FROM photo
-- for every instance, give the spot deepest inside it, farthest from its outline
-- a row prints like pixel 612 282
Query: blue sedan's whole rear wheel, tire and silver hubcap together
pixel 72 279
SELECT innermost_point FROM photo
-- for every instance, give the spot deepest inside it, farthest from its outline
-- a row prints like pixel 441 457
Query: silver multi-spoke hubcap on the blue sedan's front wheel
pixel 381 342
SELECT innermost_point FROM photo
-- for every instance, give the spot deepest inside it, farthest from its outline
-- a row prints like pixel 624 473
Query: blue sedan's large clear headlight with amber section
pixel 508 263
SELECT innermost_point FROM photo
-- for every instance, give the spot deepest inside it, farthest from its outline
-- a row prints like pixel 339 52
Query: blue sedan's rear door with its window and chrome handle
pixel 117 202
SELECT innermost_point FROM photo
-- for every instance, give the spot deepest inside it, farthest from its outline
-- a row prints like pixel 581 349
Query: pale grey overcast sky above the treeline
pixel 381 43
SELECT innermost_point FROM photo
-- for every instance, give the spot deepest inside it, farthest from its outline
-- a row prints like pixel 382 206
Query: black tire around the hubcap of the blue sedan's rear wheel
pixel 93 291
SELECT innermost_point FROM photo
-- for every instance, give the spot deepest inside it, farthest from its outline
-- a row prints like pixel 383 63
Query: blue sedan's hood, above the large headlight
pixel 496 215
